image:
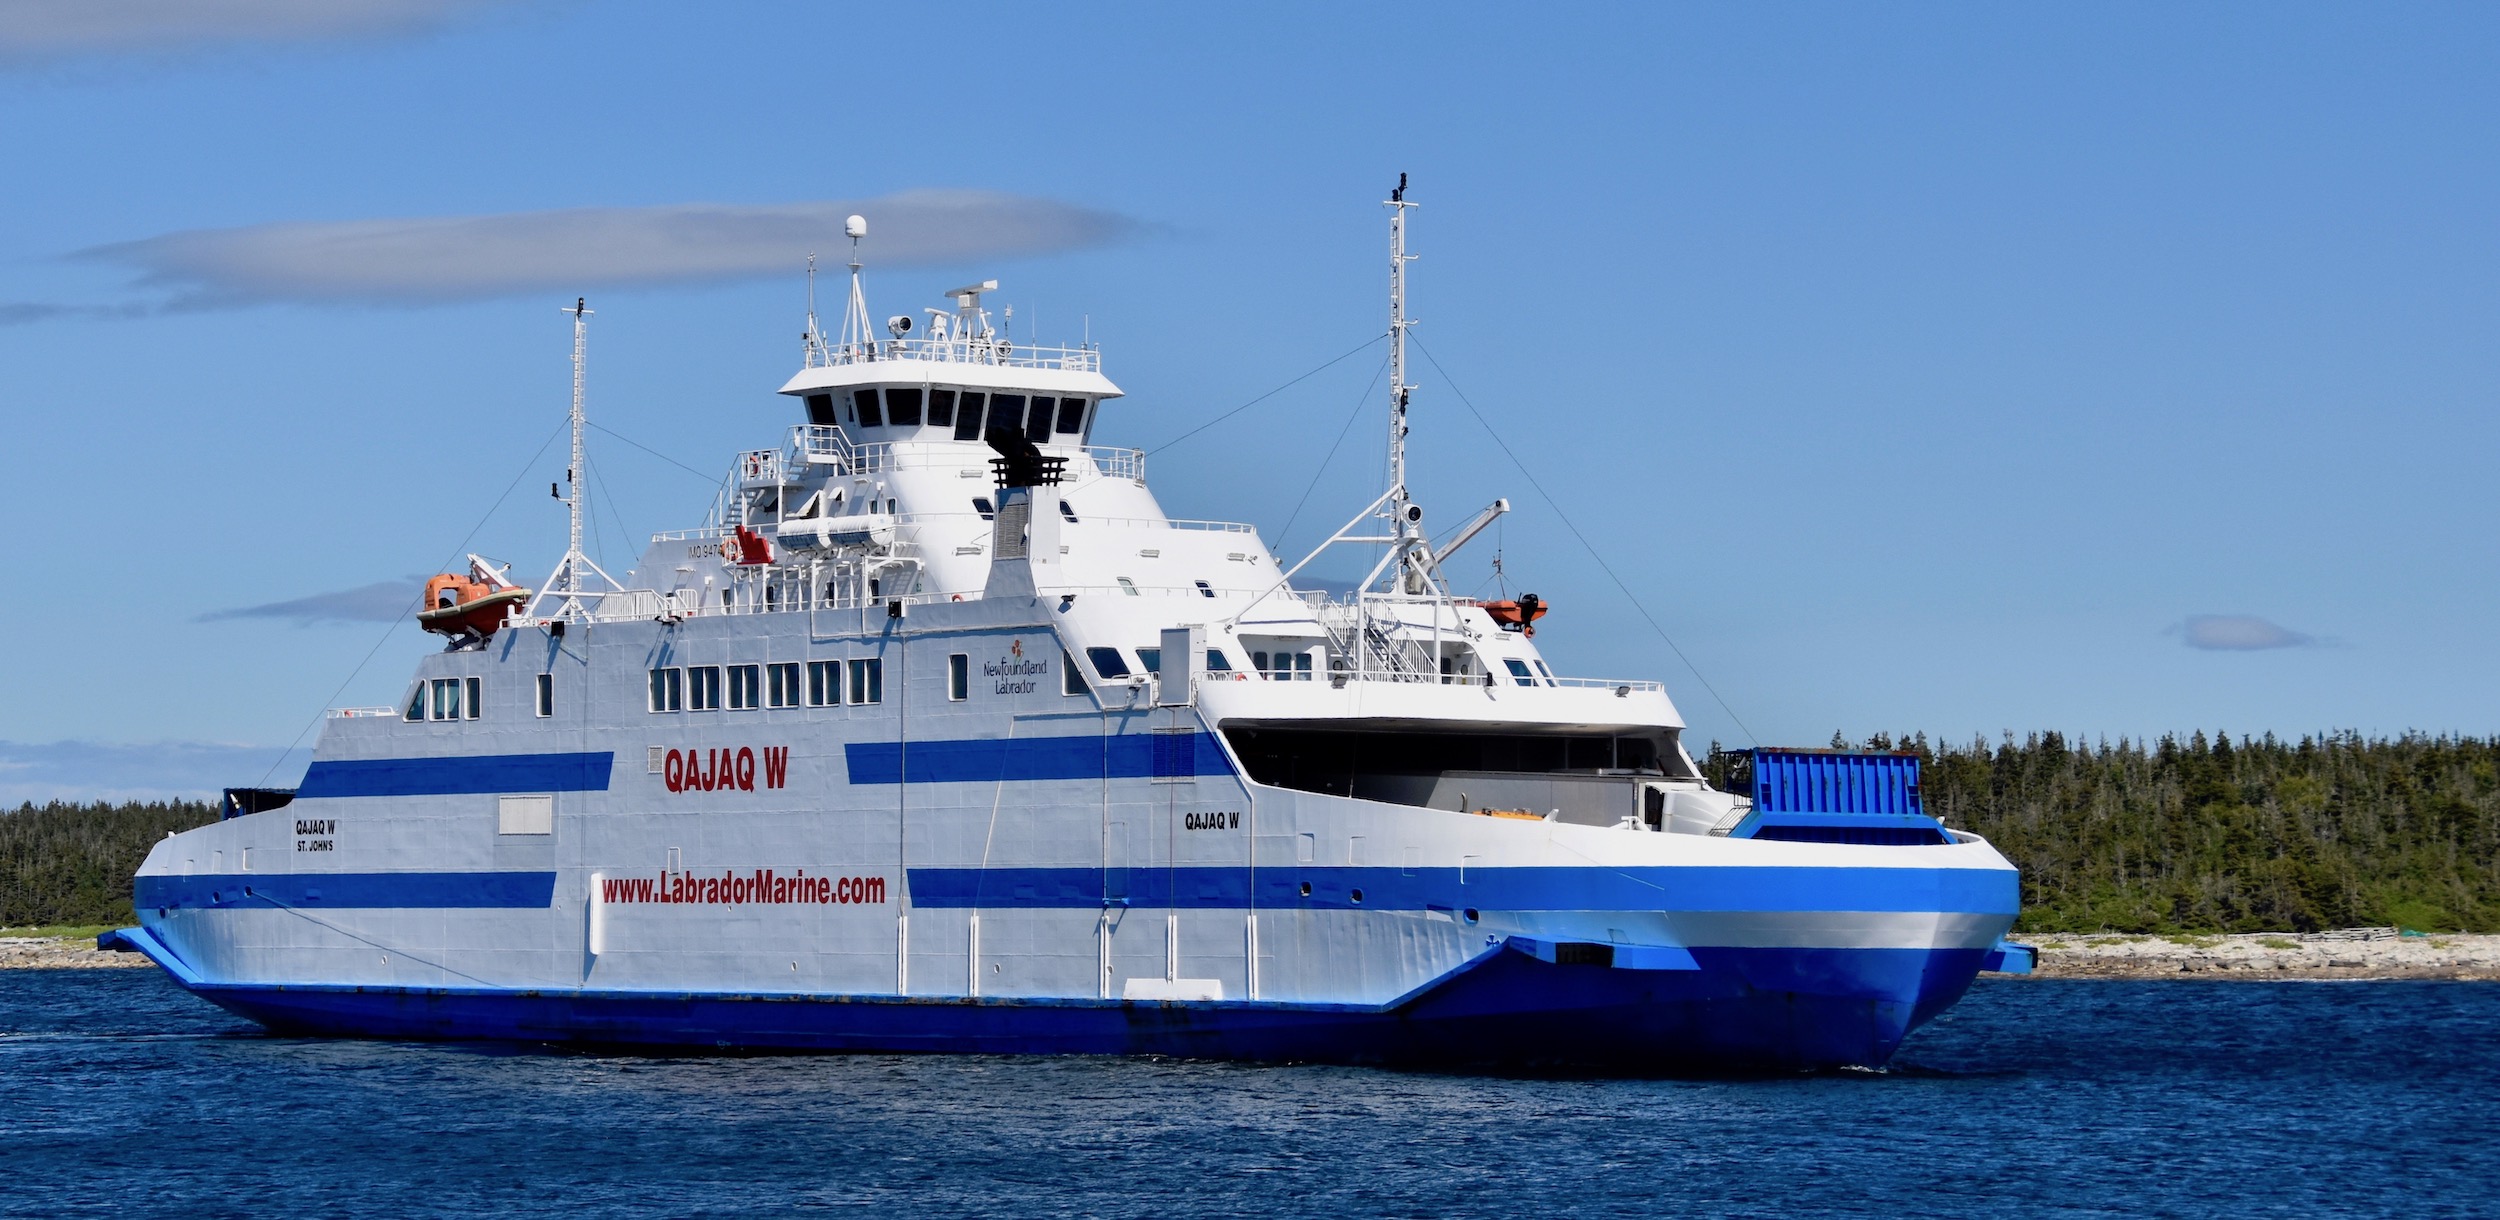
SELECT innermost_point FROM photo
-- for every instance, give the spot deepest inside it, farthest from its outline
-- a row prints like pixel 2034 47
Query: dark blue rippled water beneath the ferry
pixel 121 1094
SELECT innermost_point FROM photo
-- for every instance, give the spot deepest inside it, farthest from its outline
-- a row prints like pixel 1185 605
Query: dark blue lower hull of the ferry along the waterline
pixel 1736 1011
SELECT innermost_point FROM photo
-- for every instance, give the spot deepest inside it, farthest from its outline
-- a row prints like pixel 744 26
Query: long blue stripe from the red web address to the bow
pixel 1496 889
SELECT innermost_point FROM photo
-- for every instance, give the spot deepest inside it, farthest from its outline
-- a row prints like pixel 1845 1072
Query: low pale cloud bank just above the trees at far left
pixel 156 771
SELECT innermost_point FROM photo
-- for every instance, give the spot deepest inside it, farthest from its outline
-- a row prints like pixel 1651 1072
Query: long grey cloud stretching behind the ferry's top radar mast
pixel 491 256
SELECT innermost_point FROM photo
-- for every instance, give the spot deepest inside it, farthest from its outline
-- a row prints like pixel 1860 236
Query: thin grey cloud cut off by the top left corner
pixel 54 29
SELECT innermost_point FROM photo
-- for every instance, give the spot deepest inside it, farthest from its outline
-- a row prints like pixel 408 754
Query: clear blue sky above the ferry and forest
pixel 1919 369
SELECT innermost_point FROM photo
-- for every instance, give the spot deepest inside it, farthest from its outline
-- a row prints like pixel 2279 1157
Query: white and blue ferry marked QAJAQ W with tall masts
pixel 941 736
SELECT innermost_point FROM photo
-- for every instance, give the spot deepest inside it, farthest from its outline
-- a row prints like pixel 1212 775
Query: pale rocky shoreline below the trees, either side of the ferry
pixel 2264 956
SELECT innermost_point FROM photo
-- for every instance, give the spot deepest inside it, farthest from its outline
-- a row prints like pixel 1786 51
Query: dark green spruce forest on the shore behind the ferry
pixel 2174 836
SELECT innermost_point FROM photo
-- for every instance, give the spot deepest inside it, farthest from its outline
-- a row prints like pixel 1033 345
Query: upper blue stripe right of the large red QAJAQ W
pixel 1039 759
